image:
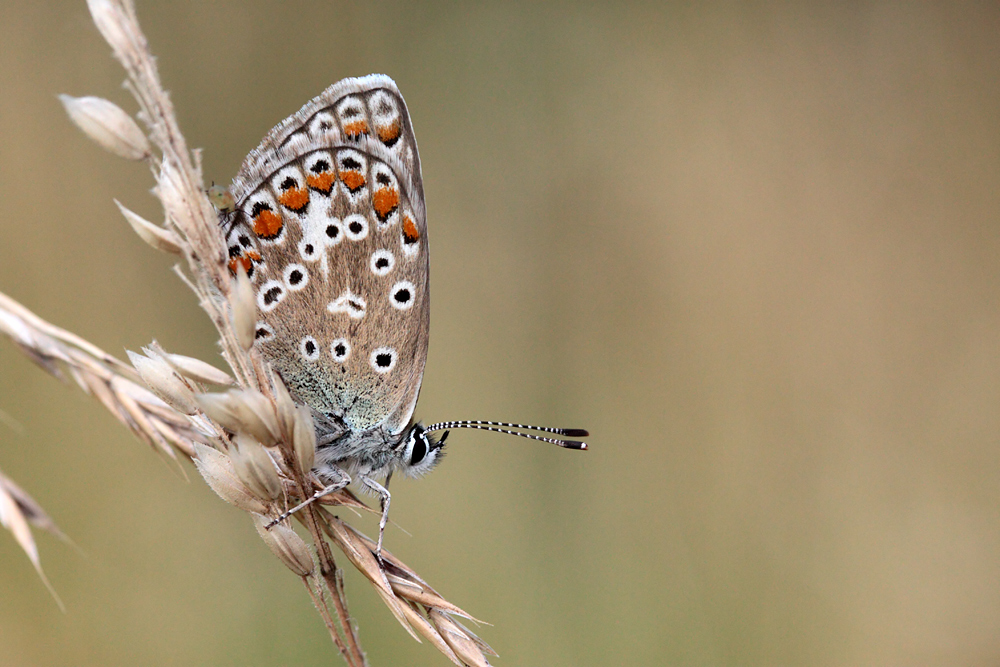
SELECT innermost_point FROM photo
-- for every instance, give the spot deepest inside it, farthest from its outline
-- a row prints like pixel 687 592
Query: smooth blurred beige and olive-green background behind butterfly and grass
pixel 753 248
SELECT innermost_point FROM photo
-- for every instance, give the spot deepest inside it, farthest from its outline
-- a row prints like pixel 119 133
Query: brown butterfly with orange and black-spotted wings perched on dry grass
pixel 327 218
